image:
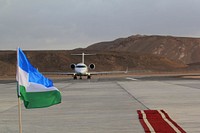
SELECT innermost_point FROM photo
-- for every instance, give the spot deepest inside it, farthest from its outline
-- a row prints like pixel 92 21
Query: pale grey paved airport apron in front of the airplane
pixel 105 105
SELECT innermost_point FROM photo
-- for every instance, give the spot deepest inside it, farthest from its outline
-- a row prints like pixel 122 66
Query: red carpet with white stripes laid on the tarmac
pixel 158 121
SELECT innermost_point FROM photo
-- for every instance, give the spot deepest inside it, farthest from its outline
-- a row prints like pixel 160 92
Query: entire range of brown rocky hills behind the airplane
pixel 155 53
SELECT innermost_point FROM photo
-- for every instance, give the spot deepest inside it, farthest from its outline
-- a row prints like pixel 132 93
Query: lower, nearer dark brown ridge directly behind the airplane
pixel 60 61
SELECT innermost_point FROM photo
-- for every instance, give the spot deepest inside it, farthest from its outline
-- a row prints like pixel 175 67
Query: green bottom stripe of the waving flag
pixel 39 99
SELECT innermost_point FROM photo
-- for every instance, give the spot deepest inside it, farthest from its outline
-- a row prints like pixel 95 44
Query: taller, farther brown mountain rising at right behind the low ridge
pixel 182 49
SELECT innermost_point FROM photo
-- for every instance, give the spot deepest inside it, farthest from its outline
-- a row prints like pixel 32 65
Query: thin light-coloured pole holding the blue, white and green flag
pixel 18 95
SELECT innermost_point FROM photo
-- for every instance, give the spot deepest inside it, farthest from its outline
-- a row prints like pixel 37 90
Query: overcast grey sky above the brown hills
pixel 69 24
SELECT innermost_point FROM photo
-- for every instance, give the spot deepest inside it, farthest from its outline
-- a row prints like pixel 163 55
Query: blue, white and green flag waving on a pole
pixel 34 89
